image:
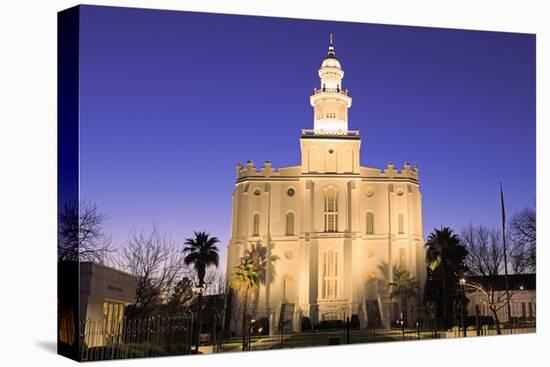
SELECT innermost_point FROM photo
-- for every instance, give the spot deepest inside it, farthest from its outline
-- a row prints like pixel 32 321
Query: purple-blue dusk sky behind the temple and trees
pixel 172 101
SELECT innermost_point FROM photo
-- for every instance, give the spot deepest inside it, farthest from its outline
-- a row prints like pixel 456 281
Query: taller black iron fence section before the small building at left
pixel 136 338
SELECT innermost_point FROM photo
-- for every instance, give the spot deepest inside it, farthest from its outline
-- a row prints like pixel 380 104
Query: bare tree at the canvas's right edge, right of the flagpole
pixel 523 235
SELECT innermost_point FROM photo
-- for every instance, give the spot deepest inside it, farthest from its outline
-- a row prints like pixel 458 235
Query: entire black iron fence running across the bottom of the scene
pixel 163 336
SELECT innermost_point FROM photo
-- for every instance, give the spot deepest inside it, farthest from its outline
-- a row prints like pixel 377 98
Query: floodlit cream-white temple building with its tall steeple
pixel 334 231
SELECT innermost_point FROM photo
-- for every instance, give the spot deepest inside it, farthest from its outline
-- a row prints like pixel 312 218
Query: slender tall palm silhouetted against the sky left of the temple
pixel 201 252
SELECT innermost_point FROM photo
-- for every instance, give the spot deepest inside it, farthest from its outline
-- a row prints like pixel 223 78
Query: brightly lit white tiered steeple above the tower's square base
pixel 331 102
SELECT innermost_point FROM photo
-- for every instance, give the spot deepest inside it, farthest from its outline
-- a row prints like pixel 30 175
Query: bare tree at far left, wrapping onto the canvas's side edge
pixel 80 233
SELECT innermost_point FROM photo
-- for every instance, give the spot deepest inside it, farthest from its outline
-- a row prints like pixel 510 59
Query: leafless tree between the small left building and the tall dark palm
pixel 155 260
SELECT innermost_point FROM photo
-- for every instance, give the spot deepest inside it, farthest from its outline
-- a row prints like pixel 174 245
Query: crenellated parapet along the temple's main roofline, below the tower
pixel 268 171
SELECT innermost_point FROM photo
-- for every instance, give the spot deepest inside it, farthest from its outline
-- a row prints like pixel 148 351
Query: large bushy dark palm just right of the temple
pixel 445 257
